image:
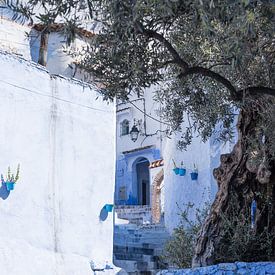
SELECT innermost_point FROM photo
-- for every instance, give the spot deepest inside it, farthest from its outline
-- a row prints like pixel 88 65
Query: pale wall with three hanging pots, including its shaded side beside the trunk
pixel 179 191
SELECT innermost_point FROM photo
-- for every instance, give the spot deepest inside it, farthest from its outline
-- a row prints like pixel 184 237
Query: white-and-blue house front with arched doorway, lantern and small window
pixel 137 150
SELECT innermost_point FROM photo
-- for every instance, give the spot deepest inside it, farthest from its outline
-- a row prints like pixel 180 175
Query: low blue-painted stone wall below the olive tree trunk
pixel 258 268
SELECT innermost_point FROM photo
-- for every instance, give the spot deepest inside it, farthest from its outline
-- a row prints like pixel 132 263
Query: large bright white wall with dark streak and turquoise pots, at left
pixel 64 140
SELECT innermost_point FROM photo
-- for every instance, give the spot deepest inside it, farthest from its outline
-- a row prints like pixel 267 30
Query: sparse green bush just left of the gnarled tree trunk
pixel 180 249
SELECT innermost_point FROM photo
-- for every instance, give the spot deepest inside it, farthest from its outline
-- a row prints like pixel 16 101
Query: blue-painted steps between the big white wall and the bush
pixel 137 248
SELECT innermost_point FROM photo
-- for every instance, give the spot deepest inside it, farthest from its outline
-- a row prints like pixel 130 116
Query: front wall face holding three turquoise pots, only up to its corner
pixel 181 190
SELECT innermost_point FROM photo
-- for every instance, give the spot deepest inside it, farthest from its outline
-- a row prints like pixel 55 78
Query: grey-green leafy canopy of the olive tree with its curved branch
pixel 202 54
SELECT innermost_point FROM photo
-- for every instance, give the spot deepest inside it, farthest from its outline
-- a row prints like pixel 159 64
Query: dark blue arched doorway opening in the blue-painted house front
pixel 142 181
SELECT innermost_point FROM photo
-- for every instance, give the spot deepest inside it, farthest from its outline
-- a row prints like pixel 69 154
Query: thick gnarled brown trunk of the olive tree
pixel 238 177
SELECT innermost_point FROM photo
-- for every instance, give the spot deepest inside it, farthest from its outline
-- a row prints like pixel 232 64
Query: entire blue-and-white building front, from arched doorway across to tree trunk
pixel 145 174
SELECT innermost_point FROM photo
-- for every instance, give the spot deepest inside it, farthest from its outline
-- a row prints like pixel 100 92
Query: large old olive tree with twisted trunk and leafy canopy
pixel 212 60
